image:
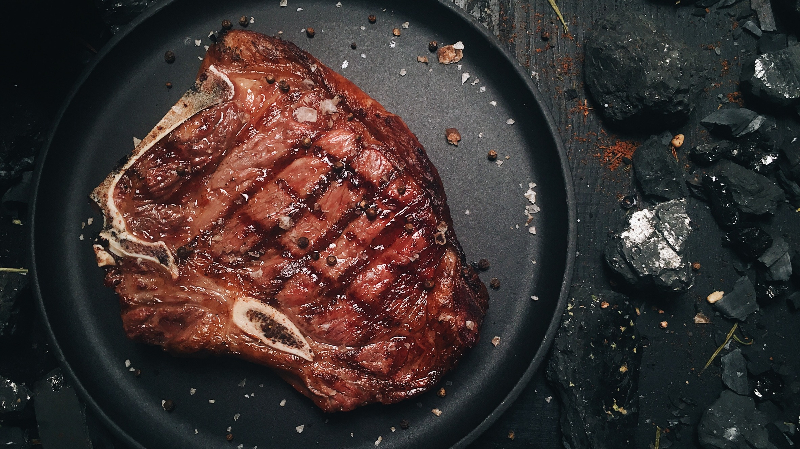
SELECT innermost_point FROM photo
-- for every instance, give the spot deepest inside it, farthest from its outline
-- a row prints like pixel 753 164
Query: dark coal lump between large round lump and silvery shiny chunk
pixel 657 170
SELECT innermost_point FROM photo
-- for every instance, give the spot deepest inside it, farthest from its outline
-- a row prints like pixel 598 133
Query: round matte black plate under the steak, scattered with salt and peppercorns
pixel 124 94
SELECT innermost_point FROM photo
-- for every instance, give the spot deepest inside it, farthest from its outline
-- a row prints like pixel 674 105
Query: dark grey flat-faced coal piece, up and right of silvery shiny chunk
pixel 753 193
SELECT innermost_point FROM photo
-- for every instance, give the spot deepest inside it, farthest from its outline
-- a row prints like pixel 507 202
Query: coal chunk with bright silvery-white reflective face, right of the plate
pixel 651 251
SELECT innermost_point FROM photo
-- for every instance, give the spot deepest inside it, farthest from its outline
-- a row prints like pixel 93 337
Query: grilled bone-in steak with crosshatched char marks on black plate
pixel 279 214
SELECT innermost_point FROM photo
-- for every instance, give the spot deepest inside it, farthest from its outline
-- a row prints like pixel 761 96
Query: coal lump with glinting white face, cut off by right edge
pixel 774 77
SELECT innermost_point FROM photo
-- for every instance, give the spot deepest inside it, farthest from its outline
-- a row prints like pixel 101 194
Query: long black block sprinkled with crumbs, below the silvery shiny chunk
pixel 594 368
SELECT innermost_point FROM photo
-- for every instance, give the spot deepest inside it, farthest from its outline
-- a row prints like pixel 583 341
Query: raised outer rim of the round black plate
pixel 467 20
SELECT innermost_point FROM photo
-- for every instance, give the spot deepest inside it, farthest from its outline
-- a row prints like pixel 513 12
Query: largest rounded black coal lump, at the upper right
pixel 641 78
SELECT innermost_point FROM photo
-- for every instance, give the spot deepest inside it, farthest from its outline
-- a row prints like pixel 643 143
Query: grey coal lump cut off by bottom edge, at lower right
pixel 732 422
